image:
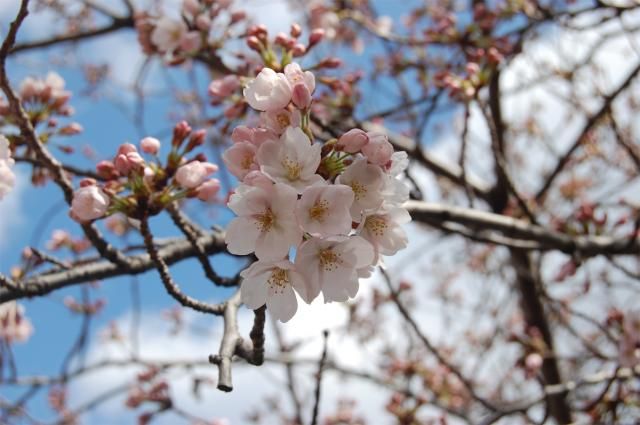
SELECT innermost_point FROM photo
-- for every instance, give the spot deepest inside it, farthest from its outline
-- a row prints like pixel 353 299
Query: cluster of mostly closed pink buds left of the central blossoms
pixel 136 187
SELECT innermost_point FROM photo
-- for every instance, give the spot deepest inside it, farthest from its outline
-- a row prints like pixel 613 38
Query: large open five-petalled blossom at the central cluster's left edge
pixel 266 222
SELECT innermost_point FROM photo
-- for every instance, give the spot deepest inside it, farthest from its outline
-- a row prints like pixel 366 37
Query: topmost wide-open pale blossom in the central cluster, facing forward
pixel 292 160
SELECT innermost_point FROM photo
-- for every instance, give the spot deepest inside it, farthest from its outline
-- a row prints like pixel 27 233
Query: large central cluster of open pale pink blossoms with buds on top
pixel 318 217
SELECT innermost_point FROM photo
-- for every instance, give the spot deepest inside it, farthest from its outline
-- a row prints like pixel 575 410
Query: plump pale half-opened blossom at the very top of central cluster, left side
pixel 269 91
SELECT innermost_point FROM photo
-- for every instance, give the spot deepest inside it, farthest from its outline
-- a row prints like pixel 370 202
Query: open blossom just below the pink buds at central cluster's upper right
pixel 366 181
